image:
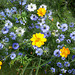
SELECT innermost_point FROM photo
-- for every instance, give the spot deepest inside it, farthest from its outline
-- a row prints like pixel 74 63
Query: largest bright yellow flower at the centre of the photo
pixel 38 39
